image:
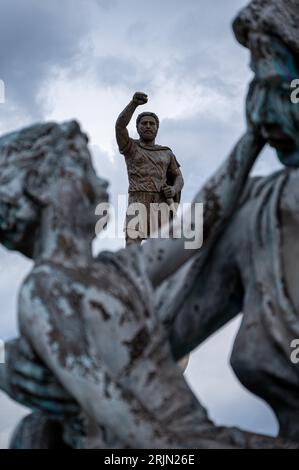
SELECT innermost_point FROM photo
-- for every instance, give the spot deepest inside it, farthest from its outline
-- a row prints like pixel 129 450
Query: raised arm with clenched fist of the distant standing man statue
pixel 121 131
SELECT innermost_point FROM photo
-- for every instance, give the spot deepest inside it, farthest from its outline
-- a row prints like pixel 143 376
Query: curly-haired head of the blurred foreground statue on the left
pixel 43 166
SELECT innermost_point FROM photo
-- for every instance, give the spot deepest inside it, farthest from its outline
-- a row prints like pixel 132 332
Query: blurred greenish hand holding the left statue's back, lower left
pixel 29 382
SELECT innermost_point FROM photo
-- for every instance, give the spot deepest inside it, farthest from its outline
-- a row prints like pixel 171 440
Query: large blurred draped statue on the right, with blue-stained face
pixel 254 269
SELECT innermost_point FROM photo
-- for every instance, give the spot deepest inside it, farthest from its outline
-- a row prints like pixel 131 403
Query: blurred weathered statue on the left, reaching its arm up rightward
pixel 92 322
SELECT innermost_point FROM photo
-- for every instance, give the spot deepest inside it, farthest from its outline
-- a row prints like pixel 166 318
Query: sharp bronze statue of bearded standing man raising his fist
pixel 155 178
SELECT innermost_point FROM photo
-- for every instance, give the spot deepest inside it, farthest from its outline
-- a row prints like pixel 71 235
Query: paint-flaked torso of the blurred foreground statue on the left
pixel 101 330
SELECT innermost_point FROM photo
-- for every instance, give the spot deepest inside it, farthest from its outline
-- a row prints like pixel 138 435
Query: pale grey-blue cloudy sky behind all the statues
pixel 84 59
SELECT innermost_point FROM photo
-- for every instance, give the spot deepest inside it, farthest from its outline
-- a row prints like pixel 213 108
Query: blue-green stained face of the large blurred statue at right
pixel 269 105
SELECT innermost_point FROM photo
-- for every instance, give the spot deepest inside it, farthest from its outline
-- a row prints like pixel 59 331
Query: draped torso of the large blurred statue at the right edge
pixel 266 243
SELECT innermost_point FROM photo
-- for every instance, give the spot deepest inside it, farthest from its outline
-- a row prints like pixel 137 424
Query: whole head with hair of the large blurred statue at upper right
pixel 270 30
